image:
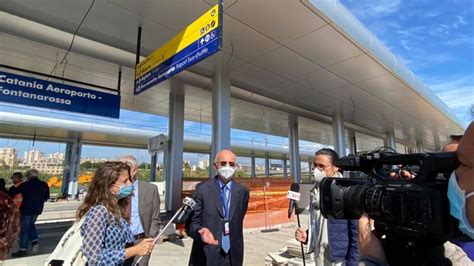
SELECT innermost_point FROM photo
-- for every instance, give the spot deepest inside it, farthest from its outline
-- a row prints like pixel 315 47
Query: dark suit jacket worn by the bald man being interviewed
pixel 208 213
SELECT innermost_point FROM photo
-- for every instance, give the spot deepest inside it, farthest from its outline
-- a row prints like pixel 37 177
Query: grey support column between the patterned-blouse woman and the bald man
pixel 174 175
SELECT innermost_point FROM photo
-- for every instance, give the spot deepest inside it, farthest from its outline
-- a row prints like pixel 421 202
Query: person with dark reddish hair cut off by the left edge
pixel 9 225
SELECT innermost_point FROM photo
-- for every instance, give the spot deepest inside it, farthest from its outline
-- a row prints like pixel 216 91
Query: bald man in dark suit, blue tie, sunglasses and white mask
pixel 217 220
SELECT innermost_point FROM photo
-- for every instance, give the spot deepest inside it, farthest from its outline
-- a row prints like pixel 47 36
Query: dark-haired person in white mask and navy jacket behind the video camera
pixel 333 242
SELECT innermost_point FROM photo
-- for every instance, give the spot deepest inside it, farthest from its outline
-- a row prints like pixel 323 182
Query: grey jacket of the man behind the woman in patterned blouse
pixel 149 208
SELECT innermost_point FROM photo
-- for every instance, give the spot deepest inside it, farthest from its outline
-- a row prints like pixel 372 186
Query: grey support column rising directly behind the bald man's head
pixel 220 105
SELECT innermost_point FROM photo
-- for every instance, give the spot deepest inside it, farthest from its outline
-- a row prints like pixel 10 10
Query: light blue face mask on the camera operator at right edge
pixel 457 203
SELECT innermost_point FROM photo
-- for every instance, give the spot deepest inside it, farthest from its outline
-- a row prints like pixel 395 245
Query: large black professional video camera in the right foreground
pixel 412 213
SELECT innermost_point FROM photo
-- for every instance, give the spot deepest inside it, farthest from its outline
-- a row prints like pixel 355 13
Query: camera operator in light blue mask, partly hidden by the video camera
pixel 460 194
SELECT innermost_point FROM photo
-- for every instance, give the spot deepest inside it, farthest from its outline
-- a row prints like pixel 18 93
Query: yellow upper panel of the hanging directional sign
pixel 201 26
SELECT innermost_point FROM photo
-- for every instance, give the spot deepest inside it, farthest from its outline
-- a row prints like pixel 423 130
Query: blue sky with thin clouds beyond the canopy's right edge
pixel 434 38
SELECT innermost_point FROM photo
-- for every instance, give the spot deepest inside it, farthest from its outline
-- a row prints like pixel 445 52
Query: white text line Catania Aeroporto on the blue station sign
pixel 50 87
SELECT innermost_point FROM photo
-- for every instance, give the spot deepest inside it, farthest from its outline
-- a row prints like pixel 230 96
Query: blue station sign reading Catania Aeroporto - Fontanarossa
pixel 42 93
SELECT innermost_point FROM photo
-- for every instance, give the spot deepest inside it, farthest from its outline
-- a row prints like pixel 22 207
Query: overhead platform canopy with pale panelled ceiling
pixel 311 58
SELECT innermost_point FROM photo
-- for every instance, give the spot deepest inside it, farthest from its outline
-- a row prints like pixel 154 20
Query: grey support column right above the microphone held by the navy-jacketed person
pixel 295 166
